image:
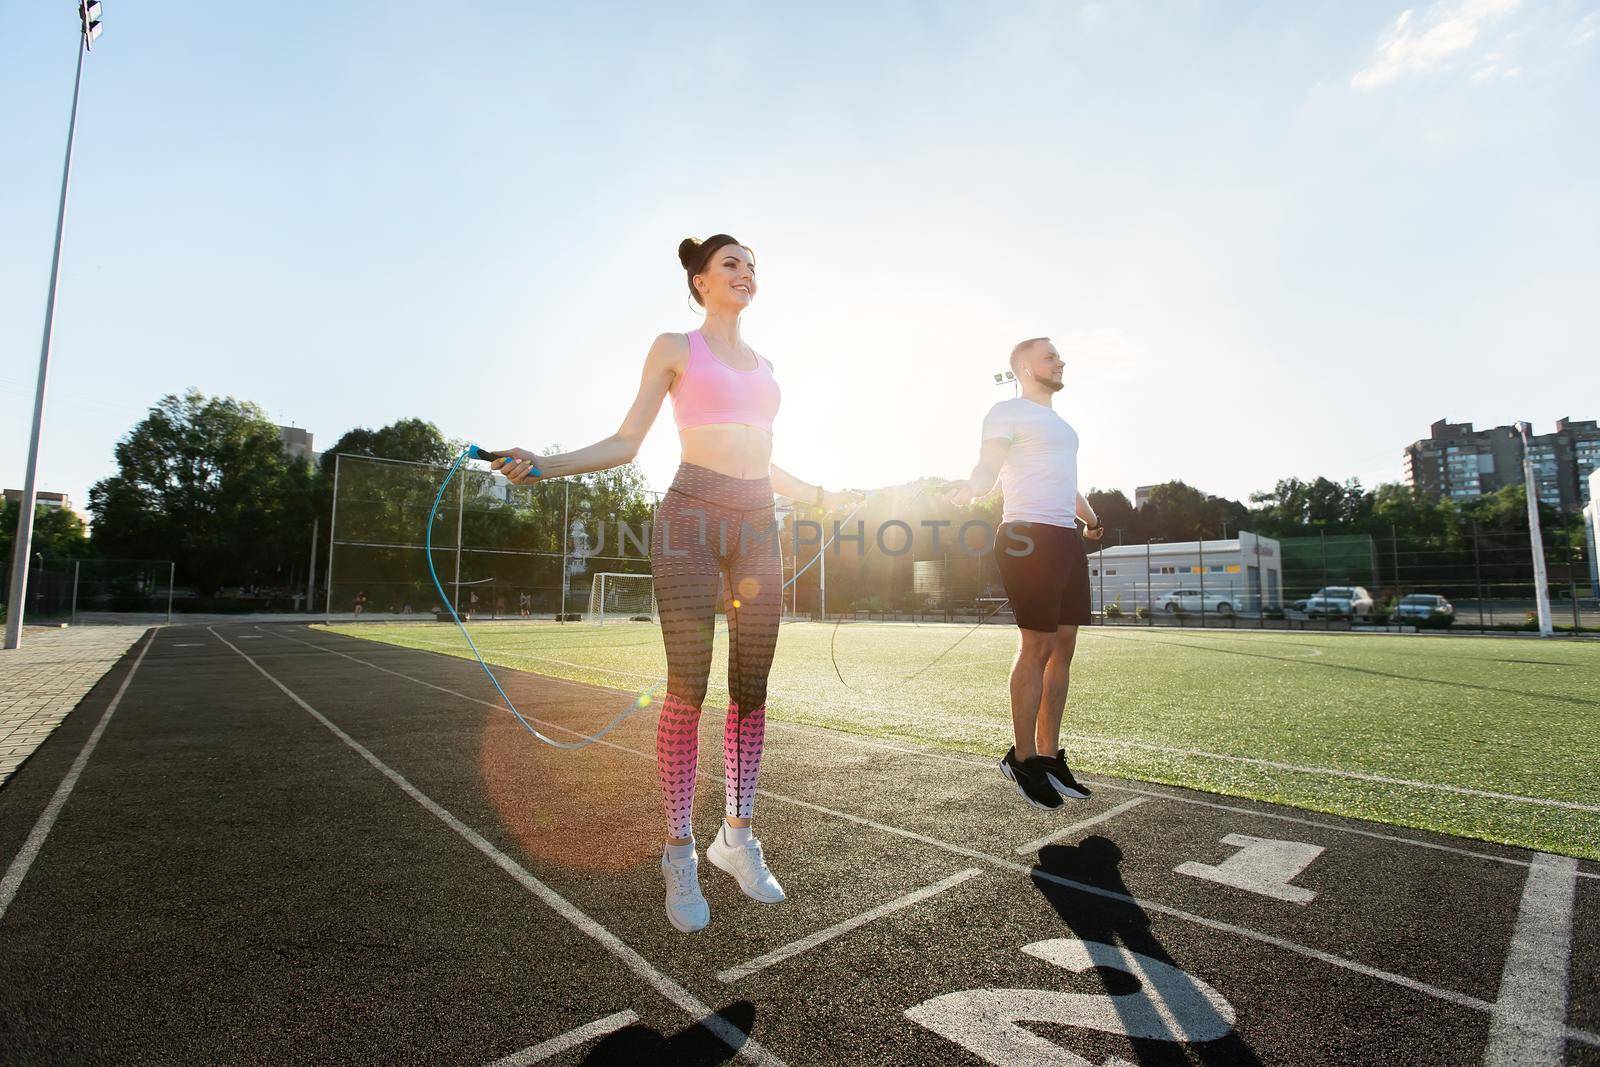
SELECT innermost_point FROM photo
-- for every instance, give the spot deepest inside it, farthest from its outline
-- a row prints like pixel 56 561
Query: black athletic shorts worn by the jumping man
pixel 1049 583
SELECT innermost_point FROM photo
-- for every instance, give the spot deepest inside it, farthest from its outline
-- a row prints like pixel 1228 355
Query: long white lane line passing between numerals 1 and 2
pixel 1244 932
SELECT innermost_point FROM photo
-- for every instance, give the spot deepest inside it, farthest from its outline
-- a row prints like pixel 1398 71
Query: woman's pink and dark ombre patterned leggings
pixel 714 535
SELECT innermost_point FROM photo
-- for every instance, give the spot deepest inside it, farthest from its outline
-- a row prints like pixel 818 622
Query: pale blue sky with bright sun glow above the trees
pixel 1270 239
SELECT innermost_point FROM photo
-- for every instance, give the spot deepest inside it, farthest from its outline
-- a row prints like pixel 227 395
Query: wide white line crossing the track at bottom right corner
pixel 1534 986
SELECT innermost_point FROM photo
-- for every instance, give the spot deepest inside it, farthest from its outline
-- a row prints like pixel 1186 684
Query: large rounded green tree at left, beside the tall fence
pixel 206 482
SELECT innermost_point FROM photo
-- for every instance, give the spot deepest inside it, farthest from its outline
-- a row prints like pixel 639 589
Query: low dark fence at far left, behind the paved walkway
pixel 86 593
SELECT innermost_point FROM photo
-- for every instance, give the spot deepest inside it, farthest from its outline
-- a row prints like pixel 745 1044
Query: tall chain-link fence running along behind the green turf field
pixel 508 553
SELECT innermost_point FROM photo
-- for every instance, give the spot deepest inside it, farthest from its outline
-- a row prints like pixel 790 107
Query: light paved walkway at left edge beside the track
pixel 47 677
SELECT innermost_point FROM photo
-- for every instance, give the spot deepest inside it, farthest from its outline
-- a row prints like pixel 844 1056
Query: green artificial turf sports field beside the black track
pixel 1311 721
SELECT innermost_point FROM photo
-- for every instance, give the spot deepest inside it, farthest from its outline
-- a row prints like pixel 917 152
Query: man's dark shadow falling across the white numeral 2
pixel 1097 861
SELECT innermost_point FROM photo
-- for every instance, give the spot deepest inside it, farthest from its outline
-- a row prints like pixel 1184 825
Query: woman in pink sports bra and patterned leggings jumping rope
pixel 708 538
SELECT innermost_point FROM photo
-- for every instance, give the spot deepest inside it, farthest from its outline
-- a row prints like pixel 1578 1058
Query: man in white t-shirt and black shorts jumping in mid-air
pixel 1046 570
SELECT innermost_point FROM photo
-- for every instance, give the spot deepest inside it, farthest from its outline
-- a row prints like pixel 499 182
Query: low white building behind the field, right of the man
pixel 1247 572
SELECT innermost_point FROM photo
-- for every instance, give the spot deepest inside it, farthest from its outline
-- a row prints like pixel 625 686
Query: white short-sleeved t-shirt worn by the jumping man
pixel 1041 473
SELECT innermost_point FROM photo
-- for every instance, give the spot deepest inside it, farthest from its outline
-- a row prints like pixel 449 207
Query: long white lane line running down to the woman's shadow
pixel 734 1037
